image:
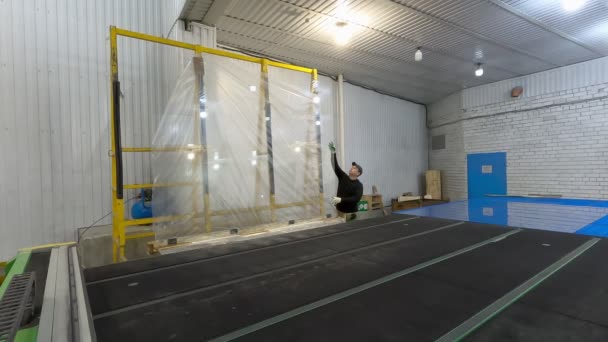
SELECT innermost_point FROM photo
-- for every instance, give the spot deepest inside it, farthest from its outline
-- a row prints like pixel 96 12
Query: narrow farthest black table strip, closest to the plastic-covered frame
pixel 116 270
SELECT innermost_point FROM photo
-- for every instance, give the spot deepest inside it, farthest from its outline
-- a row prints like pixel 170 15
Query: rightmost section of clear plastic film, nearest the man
pixel 295 126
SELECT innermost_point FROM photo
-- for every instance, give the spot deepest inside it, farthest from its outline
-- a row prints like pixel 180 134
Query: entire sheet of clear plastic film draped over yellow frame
pixel 260 158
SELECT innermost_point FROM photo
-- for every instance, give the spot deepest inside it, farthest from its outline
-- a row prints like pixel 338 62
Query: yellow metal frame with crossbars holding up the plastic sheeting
pixel 119 222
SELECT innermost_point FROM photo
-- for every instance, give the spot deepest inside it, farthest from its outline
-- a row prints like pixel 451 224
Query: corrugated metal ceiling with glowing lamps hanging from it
pixel 454 34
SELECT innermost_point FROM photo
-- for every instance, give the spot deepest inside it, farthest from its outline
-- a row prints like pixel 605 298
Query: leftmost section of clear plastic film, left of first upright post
pixel 177 159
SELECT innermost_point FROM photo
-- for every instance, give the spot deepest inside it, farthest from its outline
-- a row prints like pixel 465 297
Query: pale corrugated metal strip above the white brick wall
pixel 570 77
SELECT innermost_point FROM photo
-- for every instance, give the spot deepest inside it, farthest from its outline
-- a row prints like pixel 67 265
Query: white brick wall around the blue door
pixel 556 143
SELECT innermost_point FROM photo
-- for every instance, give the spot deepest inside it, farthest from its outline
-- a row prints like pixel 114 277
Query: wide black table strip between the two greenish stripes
pixel 425 305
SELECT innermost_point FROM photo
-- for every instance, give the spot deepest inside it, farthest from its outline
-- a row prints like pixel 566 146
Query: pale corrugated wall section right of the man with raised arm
pixel 388 137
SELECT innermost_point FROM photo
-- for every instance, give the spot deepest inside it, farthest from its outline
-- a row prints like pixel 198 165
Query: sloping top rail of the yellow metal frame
pixel 204 49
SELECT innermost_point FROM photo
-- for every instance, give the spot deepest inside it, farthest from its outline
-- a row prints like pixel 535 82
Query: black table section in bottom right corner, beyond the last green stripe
pixel 572 305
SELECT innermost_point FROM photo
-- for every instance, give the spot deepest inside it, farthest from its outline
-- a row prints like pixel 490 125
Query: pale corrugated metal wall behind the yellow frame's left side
pixel 54 141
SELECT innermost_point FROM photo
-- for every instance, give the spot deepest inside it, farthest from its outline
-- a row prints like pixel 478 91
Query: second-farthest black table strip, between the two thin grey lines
pixel 142 287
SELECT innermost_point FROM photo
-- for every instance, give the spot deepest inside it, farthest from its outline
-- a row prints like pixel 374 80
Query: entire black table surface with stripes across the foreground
pixel 202 294
